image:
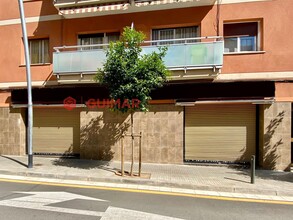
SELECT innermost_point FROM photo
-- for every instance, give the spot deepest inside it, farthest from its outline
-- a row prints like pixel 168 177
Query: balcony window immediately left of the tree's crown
pixel 101 38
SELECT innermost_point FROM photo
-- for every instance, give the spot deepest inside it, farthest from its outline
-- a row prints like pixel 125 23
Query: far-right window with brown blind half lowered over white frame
pixel 241 37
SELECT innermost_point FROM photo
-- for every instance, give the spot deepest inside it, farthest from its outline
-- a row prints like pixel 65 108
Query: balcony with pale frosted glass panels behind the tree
pixel 202 55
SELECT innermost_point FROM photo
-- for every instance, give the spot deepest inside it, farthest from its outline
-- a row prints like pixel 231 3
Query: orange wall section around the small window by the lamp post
pixel 12 68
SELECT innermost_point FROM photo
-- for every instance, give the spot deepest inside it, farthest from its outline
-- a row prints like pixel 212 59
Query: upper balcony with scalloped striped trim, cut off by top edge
pixel 87 8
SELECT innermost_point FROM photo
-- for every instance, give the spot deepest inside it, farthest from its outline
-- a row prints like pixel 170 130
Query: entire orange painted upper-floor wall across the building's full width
pixel 277 34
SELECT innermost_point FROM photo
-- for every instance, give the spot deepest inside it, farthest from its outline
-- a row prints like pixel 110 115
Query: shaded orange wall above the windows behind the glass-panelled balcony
pixel 142 21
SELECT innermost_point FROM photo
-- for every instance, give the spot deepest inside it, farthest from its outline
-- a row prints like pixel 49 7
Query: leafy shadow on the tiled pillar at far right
pixel 270 145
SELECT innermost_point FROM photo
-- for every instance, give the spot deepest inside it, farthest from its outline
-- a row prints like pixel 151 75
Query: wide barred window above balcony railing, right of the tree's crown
pixel 174 33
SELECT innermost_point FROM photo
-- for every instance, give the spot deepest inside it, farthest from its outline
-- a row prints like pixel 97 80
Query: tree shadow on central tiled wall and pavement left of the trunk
pixel 97 137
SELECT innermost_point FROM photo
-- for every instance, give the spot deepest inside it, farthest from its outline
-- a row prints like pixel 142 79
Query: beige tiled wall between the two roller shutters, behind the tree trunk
pixel 161 127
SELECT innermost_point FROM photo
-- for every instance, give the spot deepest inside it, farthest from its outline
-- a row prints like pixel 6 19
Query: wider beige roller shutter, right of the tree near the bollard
pixel 220 132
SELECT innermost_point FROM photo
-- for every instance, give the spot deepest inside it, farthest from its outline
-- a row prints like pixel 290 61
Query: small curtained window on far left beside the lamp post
pixel 39 51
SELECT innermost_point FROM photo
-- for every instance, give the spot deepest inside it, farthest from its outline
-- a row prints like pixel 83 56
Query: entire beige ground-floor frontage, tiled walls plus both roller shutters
pixel 212 132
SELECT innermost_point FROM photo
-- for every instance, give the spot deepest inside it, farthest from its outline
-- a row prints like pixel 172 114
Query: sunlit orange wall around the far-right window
pixel 277 36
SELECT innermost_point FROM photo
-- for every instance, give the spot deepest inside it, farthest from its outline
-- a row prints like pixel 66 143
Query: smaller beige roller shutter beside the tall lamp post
pixel 56 131
